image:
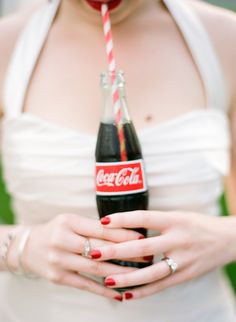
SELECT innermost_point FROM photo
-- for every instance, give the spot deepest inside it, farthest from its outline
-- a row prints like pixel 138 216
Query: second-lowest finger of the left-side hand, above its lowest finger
pixel 85 265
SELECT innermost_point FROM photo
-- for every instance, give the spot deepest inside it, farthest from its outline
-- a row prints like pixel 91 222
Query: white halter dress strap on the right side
pixel 202 51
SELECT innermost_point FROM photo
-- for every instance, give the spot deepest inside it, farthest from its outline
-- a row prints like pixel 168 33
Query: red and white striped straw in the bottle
pixel 112 69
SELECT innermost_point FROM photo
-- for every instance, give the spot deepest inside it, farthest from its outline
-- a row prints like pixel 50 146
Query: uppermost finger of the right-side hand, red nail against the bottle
pixel 155 220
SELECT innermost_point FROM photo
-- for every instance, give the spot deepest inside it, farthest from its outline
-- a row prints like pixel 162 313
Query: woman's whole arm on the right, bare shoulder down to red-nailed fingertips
pixel 198 243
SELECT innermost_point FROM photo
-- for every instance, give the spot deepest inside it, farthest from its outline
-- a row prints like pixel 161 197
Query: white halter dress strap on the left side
pixel 25 56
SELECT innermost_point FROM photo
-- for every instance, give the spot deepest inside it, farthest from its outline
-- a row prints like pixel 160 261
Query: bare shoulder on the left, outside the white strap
pixel 10 29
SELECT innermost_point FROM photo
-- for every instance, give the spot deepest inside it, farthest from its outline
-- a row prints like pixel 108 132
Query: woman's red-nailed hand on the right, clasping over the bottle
pixel 197 243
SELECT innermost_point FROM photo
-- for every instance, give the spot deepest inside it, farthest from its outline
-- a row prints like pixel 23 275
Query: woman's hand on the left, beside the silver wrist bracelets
pixel 54 250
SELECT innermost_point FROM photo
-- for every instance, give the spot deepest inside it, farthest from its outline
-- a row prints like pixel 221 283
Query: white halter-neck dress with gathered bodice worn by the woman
pixel 49 169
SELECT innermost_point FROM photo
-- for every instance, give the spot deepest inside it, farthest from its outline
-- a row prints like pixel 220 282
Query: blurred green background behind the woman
pixel 6 214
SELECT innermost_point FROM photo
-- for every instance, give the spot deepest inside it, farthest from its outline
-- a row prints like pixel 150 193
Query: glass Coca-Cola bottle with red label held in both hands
pixel 120 185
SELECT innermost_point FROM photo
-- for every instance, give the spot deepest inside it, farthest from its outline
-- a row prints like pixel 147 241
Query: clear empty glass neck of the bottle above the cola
pixel 108 113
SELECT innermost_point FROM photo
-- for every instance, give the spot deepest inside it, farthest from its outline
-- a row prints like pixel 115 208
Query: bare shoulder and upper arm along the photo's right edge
pixel 223 39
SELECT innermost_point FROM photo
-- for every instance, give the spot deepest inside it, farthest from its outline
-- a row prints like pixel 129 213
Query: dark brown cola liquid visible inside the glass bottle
pixel 108 150
